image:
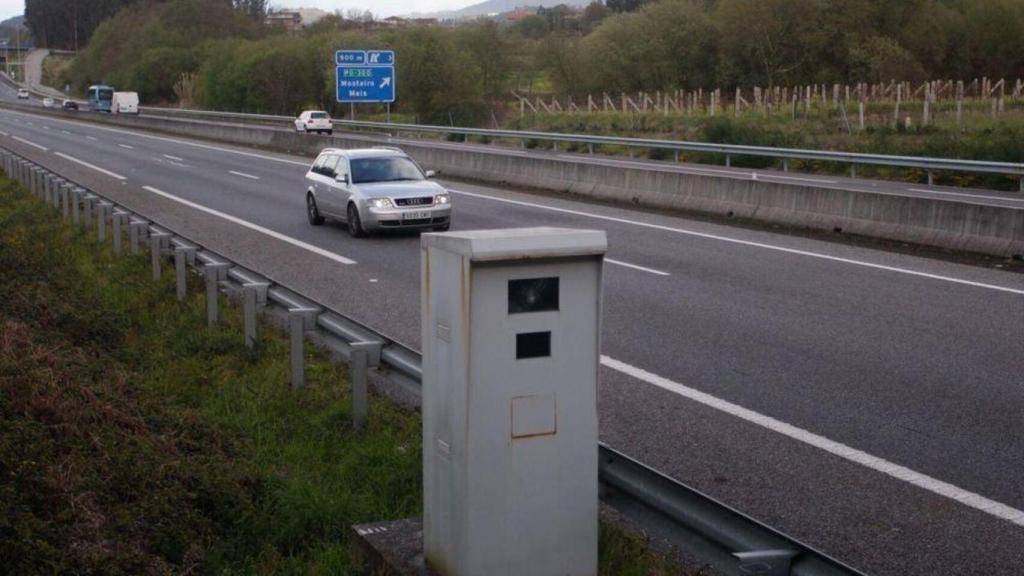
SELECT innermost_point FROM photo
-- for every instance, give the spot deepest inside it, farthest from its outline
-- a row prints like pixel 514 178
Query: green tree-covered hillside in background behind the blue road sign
pixel 221 57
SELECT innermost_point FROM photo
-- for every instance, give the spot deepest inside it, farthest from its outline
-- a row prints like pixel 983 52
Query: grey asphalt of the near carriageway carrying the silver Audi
pixel 869 403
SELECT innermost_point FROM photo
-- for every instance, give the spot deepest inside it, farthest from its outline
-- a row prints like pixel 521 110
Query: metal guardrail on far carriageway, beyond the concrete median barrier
pixel 930 166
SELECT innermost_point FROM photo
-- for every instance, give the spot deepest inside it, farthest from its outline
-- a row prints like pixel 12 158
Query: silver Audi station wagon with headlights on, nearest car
pixel 373 190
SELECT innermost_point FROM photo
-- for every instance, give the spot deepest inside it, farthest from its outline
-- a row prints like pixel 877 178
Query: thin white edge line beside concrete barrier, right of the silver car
pixel 750 243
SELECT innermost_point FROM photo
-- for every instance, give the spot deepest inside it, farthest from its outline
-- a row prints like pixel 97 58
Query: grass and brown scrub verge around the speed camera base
pixel 134 440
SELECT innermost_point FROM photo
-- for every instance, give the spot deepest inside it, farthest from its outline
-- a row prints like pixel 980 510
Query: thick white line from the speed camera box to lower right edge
pixel 887 468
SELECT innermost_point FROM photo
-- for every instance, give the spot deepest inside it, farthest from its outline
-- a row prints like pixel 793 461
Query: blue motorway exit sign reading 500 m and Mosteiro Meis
pixel 365 76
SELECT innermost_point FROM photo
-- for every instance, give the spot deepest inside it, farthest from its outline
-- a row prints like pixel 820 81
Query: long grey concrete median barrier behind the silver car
pixel 945 224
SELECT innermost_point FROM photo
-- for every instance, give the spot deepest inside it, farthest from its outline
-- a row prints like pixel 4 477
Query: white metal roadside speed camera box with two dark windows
pixel 511 332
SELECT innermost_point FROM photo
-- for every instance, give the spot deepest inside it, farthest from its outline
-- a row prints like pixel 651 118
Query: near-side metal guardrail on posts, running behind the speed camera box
pixel 757 548
